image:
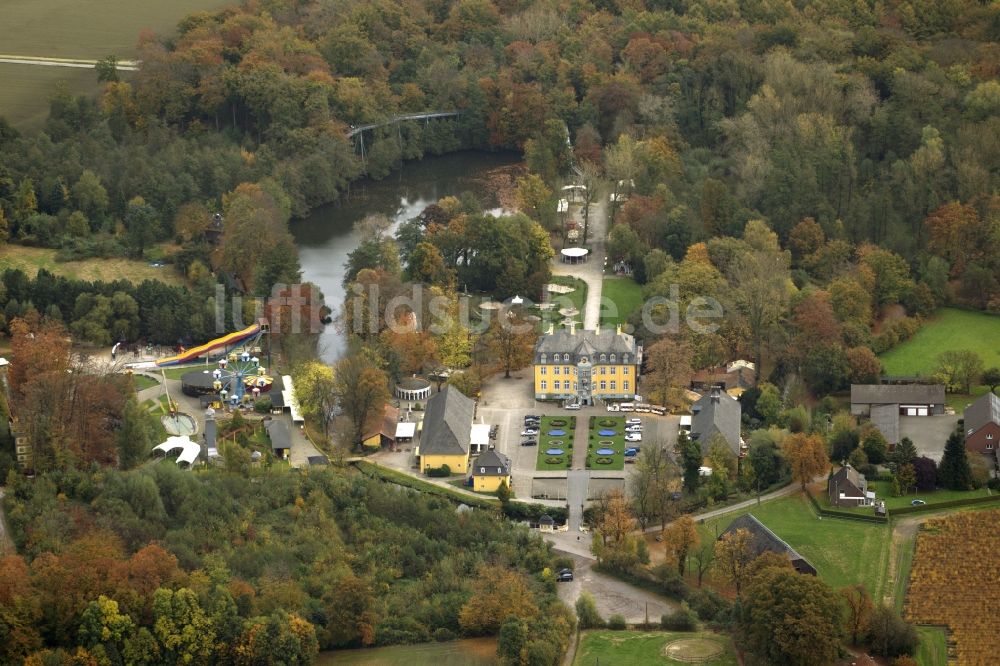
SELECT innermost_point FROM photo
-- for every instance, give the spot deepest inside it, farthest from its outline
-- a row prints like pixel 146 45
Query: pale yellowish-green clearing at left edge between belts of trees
pixel 30 259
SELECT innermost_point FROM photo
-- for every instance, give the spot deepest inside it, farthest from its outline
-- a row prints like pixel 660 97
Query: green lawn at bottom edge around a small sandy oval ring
pixel 642 648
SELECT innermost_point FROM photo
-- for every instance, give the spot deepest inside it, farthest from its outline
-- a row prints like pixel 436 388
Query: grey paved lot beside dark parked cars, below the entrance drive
pixel 612 595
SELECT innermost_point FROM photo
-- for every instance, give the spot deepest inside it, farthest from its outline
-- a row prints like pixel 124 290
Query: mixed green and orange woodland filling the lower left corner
pixel 161 566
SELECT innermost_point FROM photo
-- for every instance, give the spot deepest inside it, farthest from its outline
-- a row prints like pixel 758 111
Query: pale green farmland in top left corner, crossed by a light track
pixel 72 29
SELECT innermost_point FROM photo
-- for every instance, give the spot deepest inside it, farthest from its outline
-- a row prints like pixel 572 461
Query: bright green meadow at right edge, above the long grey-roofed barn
pixel 947 329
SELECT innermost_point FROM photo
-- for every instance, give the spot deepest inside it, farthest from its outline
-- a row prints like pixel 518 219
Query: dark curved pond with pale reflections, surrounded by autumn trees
pixel 328 235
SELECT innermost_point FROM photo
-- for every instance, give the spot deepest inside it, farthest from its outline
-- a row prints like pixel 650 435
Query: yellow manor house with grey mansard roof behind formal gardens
pixel 582 366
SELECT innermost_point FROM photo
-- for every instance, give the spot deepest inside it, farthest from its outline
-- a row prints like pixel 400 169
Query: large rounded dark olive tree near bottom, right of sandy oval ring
pixel 788 618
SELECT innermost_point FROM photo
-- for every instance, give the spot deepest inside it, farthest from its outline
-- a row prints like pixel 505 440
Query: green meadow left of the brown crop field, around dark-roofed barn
pixel 844 552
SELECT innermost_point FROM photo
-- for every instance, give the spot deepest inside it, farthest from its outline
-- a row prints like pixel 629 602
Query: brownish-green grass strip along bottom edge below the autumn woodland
pixel 466 652
